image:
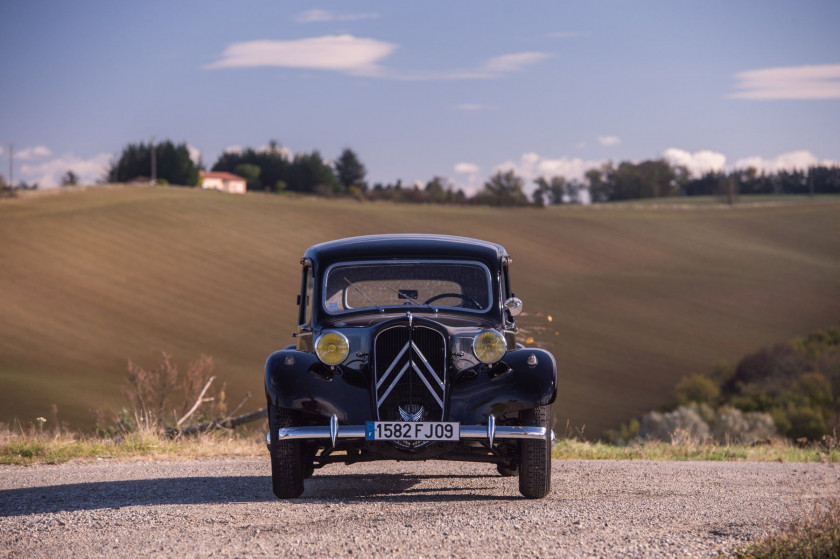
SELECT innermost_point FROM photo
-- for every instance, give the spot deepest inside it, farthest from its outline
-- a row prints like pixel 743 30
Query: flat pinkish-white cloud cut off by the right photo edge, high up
pixel 789 82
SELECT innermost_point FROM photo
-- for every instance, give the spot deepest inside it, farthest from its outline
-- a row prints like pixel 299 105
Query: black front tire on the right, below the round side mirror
pixel 535 455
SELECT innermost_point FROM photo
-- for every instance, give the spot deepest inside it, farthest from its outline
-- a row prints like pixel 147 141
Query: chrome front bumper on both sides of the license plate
pixel 334 431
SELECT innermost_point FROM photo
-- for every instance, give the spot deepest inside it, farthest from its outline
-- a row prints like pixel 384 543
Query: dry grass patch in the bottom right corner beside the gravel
pixel 814 535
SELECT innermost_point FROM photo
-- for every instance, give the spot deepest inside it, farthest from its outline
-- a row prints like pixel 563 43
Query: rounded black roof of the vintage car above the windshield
pixel 406 246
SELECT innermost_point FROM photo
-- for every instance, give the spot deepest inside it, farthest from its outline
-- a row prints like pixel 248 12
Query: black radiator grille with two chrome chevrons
pixel 410 373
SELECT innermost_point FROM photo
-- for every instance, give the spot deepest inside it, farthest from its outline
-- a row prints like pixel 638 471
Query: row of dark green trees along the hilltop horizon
pixel 272 169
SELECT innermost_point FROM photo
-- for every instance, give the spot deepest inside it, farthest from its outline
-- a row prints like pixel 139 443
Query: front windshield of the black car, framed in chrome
pixel 429 284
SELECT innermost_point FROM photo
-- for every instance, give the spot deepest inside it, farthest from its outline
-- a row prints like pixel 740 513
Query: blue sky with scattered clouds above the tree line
pixel 457 89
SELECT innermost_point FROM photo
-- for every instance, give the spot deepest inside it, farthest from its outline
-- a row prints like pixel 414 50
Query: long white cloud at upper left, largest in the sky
pixel 342 53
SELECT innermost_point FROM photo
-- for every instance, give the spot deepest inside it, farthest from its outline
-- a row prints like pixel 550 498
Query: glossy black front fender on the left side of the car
pixel 298 380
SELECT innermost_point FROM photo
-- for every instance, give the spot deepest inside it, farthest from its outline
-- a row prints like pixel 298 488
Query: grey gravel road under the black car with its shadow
pixel 224 508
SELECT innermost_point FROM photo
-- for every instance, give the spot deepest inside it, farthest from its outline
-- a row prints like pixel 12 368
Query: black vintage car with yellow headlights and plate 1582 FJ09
pixel 406 350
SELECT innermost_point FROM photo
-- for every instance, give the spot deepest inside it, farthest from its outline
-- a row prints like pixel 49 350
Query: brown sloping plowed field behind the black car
pixel 638 297
